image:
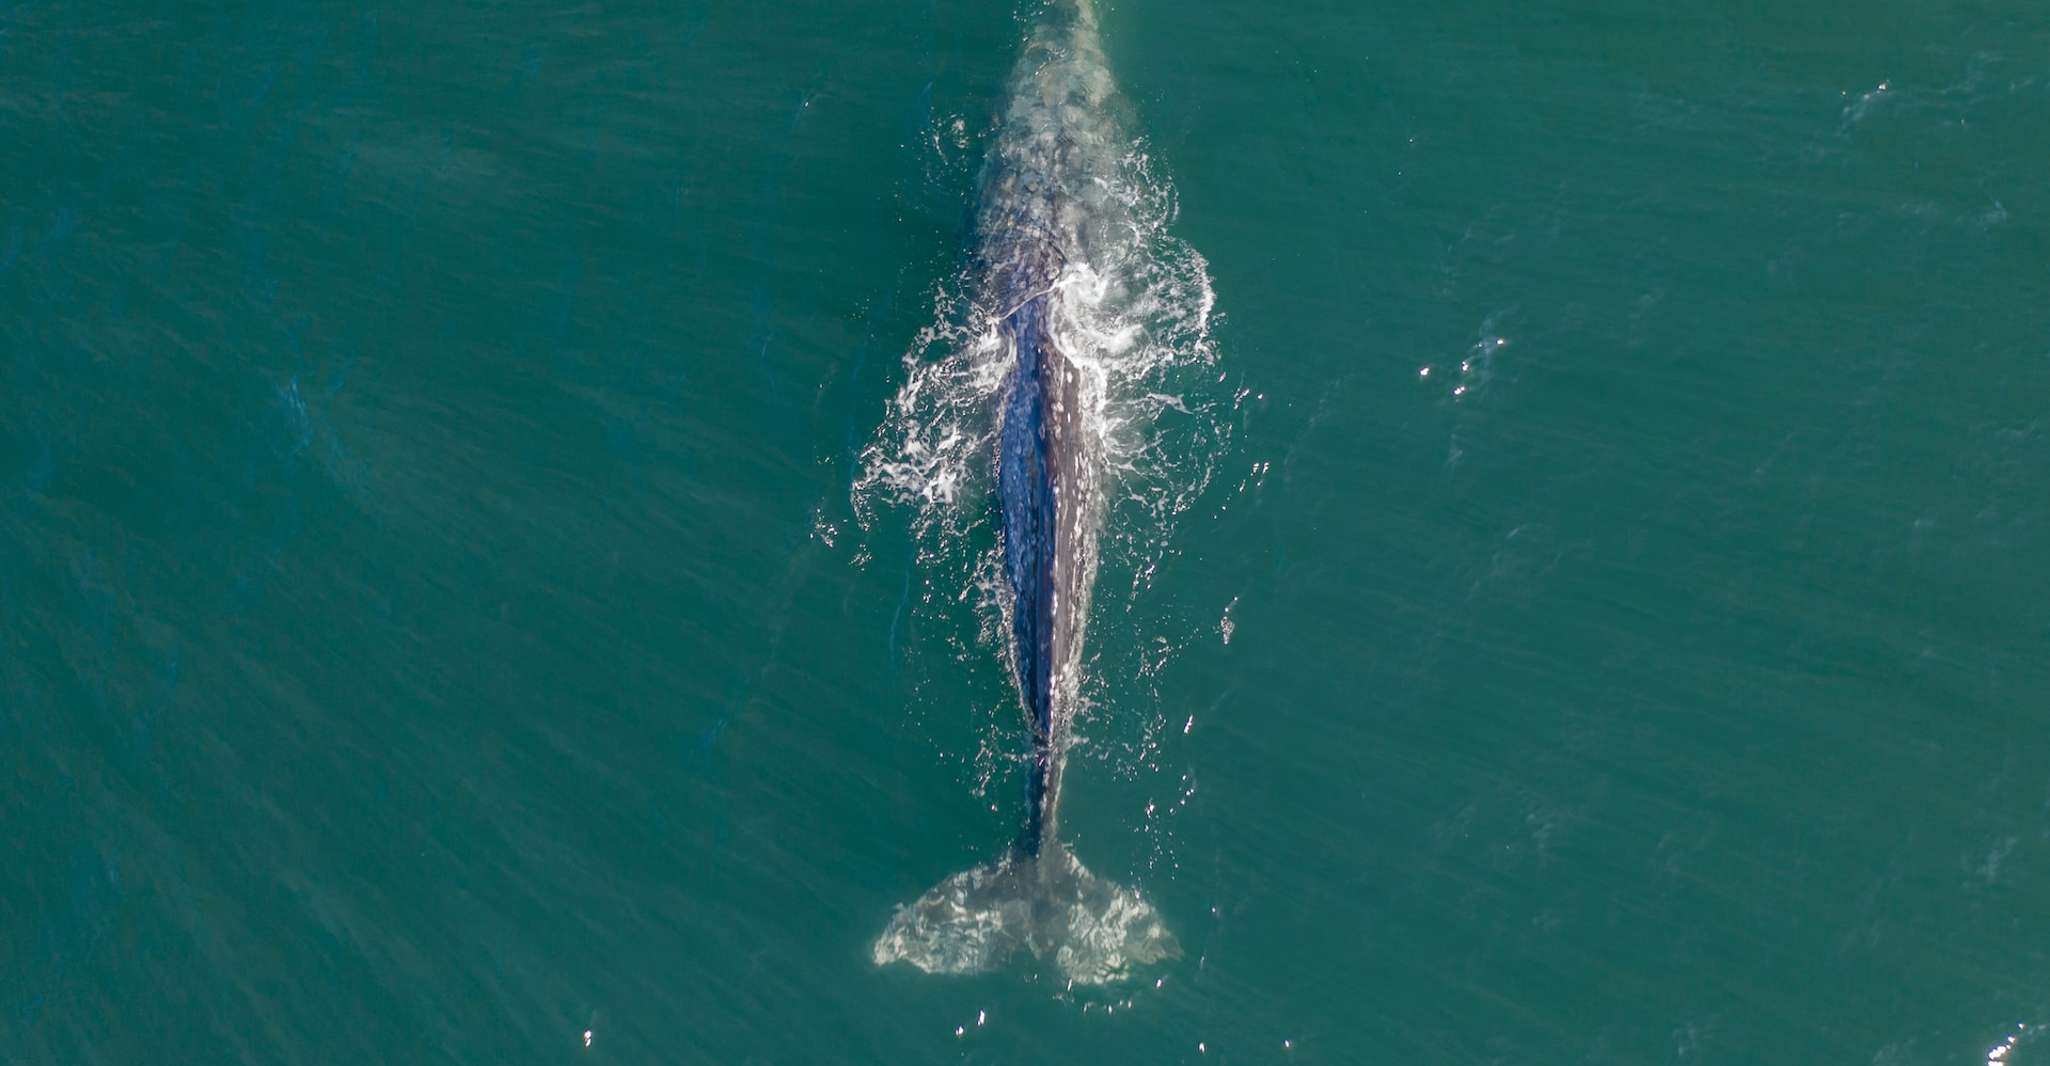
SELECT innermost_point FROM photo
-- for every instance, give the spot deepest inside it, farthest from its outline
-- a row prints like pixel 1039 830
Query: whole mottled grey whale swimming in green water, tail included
pixel 1040 200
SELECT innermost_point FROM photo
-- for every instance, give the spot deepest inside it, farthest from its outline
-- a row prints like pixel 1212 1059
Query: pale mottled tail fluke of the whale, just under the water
pixel 1096 932
